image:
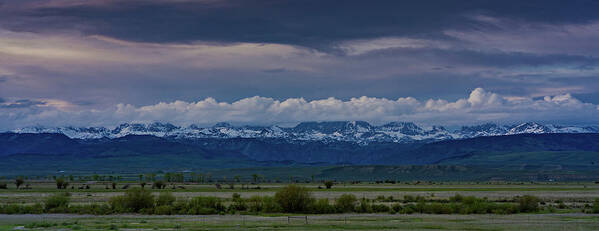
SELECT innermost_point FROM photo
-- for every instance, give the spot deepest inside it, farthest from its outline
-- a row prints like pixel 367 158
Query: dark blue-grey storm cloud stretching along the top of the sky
pixel 312 23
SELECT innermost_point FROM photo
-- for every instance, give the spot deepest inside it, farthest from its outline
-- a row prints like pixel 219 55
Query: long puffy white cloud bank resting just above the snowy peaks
pixel 480 106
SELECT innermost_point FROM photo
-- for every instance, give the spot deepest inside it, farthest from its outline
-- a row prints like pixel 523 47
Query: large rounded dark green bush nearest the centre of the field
pixel 293 198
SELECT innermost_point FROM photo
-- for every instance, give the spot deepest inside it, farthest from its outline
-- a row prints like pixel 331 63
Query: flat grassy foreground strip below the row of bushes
pixel 529 222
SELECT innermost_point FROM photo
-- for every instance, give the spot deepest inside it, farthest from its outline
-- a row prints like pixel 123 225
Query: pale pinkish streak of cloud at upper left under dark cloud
pixel 77 53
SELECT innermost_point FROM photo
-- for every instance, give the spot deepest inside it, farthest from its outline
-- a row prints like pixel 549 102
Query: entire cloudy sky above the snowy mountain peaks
pixel 444 62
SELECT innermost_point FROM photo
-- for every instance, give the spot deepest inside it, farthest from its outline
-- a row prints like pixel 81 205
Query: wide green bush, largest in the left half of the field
pixel 134 200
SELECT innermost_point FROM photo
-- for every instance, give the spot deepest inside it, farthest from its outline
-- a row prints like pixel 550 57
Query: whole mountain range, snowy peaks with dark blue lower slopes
pixel 158 146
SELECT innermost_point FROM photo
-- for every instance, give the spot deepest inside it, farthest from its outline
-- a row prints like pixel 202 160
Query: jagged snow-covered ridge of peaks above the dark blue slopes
pixel 349 131
